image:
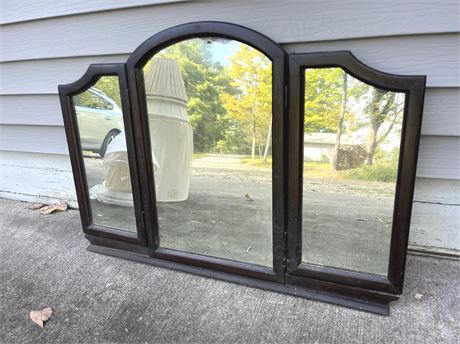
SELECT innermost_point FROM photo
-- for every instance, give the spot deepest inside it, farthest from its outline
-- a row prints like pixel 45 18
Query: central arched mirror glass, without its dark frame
pixel 209 103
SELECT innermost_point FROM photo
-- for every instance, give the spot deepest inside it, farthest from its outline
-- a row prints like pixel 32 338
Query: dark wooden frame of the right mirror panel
pixel 339 280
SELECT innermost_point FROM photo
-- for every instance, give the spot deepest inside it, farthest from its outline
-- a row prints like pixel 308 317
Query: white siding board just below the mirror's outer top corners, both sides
pixel 441 115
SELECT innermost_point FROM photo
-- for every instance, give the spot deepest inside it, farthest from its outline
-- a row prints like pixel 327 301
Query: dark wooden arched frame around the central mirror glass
pixel 276 54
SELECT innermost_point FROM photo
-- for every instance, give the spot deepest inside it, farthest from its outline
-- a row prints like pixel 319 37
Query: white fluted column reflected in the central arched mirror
pixel 170 129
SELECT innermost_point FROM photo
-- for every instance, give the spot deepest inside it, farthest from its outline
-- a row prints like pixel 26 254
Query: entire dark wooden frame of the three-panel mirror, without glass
pixel 362 291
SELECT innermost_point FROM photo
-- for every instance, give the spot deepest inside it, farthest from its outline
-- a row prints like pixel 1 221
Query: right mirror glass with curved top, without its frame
pixel 352 134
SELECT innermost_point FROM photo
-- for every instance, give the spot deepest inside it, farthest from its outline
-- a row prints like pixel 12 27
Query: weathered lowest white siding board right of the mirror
pixel 435 226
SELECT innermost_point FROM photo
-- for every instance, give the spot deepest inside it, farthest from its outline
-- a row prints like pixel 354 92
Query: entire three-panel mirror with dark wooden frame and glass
pixel 198 154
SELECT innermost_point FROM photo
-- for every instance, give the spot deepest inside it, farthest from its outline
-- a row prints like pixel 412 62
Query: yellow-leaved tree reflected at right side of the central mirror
pixel 250 105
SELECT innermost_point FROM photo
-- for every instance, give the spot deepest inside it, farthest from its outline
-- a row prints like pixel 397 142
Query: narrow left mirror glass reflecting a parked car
pixel 103 144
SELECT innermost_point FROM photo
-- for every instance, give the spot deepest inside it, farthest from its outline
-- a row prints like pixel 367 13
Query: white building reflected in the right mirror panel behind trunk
pixel 320 146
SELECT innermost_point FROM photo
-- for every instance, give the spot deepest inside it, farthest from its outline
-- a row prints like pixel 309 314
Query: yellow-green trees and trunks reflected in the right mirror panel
pixel 335 102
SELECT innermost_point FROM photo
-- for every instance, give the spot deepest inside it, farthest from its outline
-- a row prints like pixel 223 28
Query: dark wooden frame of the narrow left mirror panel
pixel 66 93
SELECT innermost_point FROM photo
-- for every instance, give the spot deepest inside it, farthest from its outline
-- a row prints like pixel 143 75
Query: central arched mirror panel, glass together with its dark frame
pixel 210 104
